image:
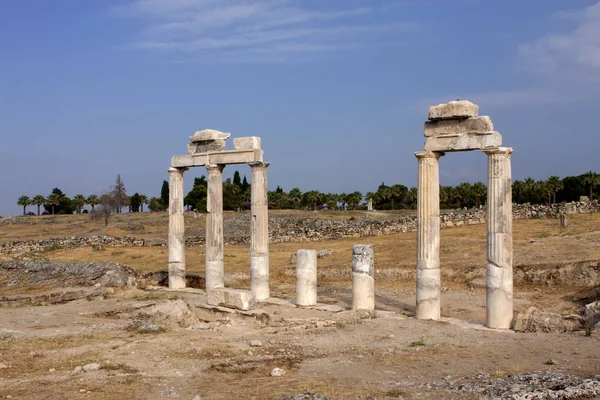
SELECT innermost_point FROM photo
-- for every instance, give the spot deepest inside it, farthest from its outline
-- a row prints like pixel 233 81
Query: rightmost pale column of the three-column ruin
pixel 259 231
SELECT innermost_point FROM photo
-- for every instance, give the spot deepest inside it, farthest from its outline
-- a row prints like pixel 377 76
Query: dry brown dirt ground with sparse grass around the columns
pixel 207 353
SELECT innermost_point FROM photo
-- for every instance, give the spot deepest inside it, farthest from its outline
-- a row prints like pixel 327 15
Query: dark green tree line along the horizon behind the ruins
pixel 237 195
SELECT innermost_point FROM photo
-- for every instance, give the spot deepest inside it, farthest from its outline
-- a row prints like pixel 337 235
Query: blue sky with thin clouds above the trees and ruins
pixel 338 90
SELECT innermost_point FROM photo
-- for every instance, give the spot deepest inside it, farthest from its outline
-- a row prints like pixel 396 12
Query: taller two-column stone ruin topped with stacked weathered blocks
pixel 454 127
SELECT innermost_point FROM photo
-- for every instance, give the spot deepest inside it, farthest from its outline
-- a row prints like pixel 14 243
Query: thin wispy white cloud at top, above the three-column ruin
pixel 253 30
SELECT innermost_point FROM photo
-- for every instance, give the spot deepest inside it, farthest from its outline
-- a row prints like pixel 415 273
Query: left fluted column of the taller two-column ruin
pixel 428 236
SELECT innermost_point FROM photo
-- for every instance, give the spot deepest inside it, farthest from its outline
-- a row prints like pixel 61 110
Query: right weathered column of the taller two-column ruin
pixel 499 299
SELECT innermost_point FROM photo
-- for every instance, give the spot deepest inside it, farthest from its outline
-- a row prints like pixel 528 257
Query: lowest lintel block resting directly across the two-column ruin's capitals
pixel 463 142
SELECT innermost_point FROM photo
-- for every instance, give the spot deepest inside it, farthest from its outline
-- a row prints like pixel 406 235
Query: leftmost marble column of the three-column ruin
pixel 176 229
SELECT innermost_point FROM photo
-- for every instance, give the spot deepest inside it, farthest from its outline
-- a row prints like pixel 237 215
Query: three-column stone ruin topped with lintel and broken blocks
pixel 207 149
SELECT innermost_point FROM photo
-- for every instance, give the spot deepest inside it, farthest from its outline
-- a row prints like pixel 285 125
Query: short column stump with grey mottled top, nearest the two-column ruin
pixel 363 277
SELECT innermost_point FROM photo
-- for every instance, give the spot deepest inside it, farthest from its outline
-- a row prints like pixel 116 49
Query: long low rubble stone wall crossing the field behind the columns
pixel 286 229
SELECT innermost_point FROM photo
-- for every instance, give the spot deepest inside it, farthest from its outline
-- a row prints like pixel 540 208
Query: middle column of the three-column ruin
pixel 214 228
